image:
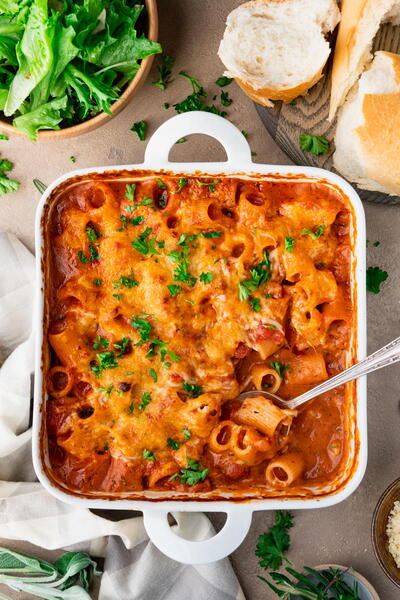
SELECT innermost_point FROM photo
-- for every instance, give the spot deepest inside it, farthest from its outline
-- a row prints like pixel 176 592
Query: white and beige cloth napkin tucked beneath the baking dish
pixel 134 567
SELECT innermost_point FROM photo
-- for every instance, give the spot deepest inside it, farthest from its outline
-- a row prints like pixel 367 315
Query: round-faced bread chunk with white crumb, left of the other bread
pixel 276 49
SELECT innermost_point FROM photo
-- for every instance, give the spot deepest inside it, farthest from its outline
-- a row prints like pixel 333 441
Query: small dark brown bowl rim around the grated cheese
pixel 379 537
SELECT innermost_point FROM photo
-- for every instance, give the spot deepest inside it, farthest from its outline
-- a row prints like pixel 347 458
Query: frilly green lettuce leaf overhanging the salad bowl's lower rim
pixel 46 116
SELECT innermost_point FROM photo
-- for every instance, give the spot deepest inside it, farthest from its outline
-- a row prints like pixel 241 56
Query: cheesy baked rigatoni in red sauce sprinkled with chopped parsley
pixel 167 296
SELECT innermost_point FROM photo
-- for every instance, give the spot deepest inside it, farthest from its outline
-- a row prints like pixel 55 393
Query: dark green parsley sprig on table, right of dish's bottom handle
pixel 271 546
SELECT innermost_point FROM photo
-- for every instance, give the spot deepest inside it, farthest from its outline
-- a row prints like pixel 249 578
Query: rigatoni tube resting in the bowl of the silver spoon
pixel 262 414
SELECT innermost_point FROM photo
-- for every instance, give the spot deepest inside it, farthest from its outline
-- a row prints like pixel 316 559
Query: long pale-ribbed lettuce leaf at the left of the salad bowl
pixel 35 56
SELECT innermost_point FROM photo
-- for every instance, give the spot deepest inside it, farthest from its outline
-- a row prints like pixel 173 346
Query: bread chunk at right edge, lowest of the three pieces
pixel 367 135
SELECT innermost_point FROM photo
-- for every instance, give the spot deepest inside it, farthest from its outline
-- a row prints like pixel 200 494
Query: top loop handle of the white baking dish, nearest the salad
pixel 236 147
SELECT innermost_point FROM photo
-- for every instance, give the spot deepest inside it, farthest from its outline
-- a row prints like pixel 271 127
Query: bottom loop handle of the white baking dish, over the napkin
pixel 196 553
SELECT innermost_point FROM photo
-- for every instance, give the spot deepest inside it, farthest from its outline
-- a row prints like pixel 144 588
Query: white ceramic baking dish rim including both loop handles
pixel 239 514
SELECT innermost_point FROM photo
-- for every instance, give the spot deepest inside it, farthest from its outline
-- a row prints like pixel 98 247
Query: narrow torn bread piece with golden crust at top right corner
pixel 359 24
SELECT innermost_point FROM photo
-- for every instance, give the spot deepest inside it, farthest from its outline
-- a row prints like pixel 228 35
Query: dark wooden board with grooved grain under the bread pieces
pixel 286 123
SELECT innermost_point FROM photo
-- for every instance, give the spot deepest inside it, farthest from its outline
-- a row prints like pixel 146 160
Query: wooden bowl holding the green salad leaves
pixel 123 100
